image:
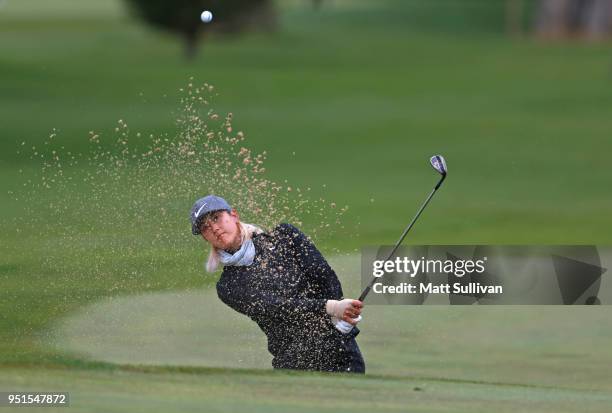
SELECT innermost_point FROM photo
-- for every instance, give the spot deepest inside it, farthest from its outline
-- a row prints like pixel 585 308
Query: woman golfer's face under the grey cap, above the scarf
pixel 221 229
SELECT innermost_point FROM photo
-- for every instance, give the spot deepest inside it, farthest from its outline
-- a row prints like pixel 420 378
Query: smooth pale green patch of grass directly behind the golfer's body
pixel 512 344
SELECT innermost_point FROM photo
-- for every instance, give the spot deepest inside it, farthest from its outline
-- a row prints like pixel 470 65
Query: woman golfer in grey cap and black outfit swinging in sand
pixel 282 282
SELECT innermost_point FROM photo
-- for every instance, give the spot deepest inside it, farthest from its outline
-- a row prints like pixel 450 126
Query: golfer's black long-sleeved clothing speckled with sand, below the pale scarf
pixel 284 291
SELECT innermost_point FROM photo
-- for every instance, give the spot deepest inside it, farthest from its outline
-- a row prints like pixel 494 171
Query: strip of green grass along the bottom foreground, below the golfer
pixel 219 390
